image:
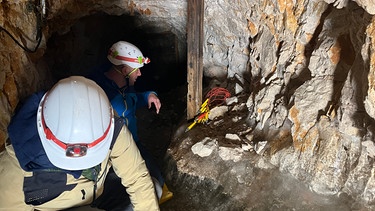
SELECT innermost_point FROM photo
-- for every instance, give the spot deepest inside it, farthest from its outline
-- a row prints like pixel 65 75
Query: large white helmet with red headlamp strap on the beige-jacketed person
pixel 75 123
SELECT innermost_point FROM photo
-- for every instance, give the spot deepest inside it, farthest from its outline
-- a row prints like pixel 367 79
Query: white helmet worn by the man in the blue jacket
pixel 126 53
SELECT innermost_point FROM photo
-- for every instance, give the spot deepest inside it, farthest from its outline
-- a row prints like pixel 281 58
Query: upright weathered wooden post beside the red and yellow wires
pixel 195 13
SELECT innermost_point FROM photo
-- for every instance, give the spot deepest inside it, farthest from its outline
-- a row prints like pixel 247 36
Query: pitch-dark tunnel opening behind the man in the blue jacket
pixel 85 47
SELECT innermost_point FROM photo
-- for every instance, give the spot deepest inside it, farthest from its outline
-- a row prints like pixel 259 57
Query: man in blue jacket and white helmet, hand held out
pixel 117 79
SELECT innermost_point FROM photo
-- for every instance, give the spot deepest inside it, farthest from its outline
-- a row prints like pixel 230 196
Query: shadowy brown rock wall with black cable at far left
pixel 21 73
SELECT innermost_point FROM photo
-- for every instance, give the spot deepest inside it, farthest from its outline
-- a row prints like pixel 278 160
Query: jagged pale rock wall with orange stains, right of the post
pixel 311 66
